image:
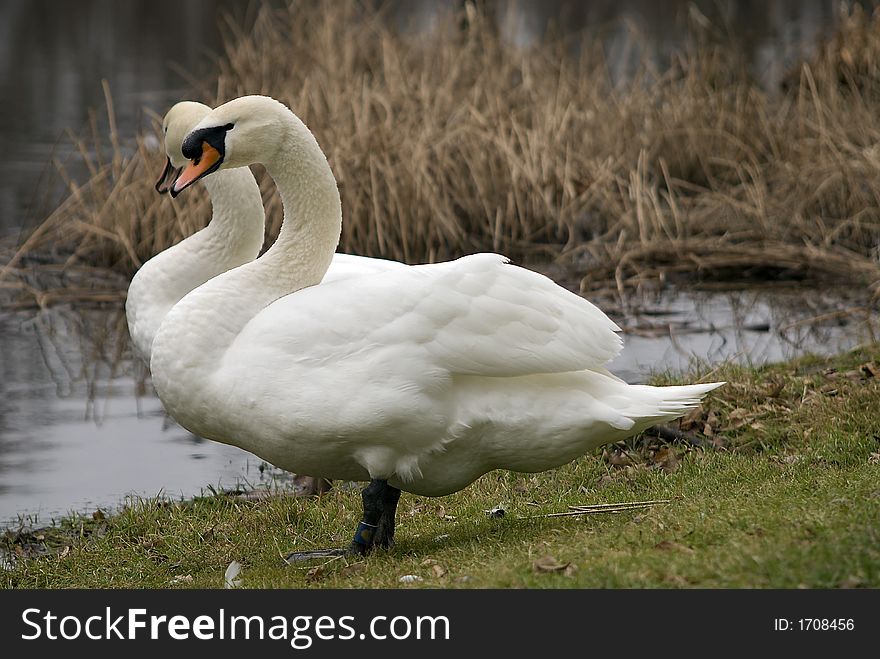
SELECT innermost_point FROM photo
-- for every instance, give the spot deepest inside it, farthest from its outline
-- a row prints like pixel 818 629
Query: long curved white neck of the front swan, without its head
pixel 206 322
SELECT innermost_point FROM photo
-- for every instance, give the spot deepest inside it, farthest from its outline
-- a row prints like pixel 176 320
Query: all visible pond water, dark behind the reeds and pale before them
pixel 79 427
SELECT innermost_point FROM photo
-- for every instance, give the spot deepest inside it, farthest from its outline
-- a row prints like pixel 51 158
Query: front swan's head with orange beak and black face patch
pixel 236 134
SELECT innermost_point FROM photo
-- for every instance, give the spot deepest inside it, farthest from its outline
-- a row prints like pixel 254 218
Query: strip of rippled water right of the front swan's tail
pixel 679 331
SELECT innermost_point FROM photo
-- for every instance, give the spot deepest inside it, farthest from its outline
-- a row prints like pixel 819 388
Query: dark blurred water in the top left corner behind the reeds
pixel 53 58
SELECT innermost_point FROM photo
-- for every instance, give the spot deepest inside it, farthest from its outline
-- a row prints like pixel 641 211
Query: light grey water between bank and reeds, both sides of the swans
pixel 80 427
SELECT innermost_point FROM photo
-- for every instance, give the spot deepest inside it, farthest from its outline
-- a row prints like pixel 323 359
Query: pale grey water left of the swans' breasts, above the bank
pixel 78 431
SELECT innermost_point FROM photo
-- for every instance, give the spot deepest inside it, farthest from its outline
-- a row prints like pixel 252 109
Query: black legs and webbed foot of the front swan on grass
pixel 375 529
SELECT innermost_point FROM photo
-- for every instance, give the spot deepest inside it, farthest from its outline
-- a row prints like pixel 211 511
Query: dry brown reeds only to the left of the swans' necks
pixel 109 224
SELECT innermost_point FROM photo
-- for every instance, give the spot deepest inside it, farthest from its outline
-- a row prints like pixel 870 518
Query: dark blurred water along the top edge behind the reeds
pixel 53 57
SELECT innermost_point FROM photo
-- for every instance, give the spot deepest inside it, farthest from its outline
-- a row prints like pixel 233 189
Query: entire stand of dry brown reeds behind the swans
pixel 452 141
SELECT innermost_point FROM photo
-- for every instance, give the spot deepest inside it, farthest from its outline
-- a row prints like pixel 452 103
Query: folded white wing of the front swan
pixel 477 315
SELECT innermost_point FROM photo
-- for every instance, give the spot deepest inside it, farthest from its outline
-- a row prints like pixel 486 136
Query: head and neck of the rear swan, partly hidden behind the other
pixel 233 237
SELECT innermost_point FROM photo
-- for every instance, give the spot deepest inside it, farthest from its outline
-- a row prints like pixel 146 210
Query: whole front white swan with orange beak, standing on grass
pixel 421 378
